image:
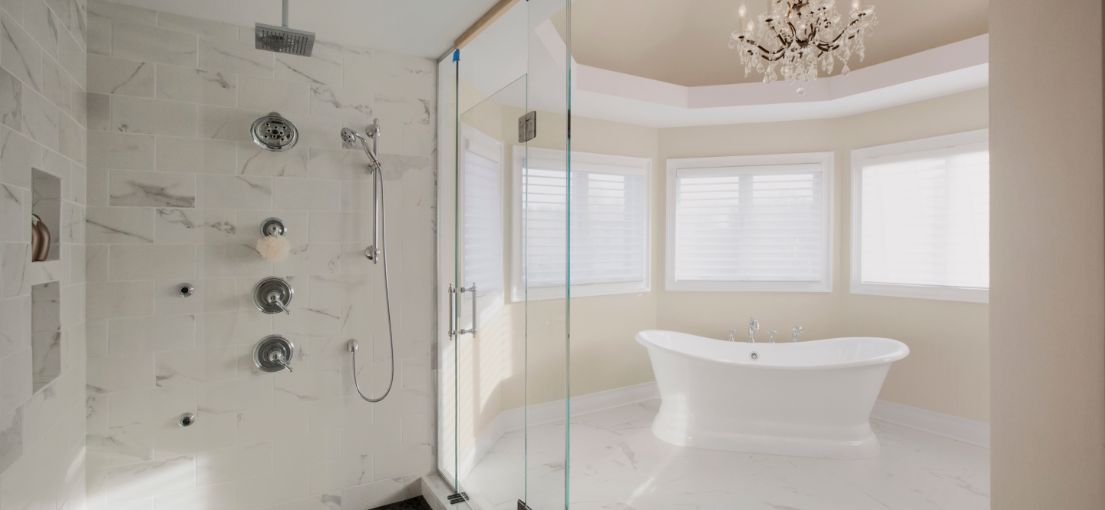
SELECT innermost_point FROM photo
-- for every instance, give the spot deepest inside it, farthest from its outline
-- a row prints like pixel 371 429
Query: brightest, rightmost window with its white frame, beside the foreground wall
pixel 921 217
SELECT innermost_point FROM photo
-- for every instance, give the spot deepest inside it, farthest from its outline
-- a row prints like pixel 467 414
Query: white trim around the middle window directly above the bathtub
pixel 825 160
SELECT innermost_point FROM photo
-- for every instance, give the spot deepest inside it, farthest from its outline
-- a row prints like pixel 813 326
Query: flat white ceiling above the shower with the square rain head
pixel 424 28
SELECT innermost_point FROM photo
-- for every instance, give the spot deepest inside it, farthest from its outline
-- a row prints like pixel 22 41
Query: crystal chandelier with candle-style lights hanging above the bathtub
pixel 801 37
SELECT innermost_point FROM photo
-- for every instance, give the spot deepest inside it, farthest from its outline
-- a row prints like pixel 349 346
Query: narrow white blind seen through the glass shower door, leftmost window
pixel 482 217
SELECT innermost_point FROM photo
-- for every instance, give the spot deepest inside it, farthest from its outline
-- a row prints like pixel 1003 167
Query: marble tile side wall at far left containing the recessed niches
pixel 43 364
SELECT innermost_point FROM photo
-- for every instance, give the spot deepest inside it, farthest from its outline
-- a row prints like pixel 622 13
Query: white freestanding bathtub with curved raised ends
pixel 811 399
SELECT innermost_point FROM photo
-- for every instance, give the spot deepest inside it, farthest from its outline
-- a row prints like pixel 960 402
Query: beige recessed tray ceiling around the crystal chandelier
pixel 686 42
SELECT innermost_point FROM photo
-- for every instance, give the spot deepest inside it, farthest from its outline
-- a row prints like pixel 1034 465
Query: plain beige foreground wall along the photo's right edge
pixel 1048 239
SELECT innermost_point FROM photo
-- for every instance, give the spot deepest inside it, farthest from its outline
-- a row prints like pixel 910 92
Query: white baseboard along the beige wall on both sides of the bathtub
pixel 954 428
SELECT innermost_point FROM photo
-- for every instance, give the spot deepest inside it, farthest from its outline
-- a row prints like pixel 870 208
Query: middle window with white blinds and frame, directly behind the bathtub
pixel 759 224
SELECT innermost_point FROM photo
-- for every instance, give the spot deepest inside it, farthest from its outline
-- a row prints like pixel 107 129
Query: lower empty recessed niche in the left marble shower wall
pixel 46 334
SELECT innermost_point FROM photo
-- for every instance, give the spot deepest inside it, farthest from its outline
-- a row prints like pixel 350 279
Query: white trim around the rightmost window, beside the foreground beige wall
pixel 946 144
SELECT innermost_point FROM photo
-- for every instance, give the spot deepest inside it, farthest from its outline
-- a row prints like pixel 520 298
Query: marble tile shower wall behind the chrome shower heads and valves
pixel 177 193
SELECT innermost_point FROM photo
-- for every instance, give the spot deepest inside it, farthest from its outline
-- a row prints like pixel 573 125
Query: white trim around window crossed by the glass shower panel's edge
pixel 626 165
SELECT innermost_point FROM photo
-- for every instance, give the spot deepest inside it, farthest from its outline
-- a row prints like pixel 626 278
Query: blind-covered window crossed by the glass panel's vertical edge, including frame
pixel 609 225
